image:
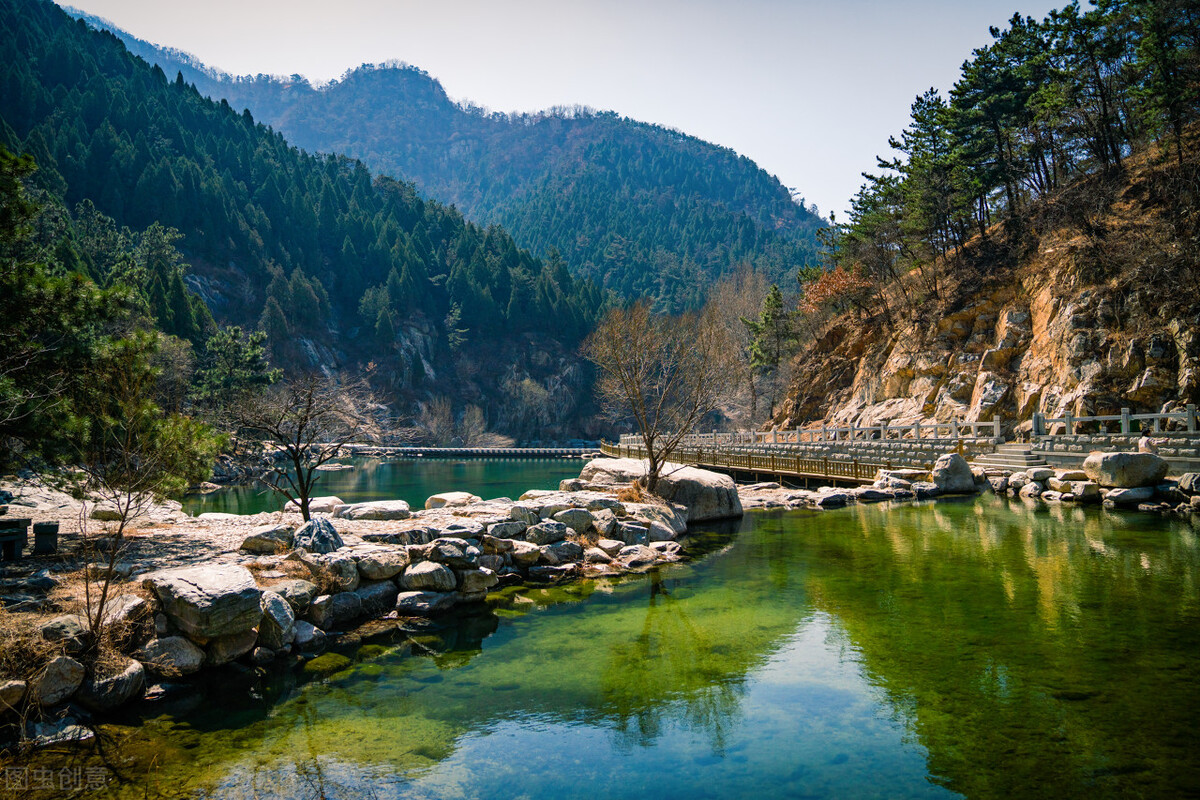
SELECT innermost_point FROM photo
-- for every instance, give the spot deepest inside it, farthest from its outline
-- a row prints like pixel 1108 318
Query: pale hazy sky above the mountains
pixel 811 91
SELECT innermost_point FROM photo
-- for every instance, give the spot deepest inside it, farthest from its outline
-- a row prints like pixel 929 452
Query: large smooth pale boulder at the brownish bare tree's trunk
pixel 706 495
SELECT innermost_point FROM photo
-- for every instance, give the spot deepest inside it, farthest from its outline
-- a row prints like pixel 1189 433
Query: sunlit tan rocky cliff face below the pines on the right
pixel 1076 321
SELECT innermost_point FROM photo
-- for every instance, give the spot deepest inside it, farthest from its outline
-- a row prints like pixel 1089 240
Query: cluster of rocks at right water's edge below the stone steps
pixel 1123 480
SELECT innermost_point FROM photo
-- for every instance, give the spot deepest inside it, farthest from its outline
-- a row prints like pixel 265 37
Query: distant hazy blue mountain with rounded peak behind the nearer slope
pixel 643 209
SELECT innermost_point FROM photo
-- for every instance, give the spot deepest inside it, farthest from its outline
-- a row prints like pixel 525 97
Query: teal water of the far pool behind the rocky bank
pixel 411 479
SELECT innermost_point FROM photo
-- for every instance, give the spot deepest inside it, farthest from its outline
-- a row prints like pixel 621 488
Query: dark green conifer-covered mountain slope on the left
pixel 340 267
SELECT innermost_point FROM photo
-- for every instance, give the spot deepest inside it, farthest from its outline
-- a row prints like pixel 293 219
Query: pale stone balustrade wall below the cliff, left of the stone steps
pixel 917 431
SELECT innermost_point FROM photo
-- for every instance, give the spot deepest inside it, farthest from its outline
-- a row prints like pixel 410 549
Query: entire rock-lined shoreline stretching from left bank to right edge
pixel 207 592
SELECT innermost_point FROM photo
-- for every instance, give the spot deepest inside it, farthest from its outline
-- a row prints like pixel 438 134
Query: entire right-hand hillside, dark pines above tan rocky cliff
pixel 1036 245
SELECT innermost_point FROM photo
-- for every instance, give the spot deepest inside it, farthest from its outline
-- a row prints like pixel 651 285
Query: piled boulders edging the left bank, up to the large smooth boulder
pixel 454 552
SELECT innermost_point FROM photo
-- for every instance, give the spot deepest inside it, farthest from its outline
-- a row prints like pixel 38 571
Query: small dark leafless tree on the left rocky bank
pixel 310 419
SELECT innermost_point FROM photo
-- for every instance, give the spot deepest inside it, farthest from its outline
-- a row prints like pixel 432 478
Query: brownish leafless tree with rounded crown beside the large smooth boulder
pixel 665 372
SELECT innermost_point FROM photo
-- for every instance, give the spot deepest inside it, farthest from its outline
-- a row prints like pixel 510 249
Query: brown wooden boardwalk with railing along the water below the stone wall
pixel 781 466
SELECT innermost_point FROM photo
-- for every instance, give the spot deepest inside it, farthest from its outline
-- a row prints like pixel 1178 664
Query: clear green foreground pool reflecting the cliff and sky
pixel 982 648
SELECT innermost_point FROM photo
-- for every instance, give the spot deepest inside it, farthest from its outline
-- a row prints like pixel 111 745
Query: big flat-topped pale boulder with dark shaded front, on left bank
pixel 209 601
